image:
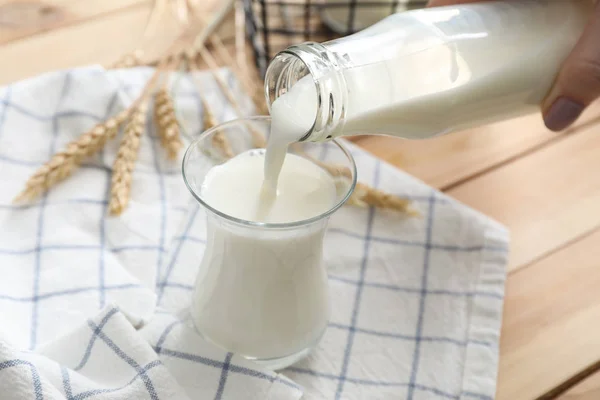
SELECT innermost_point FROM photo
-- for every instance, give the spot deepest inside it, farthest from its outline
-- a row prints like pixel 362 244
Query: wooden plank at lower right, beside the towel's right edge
pixel 551 321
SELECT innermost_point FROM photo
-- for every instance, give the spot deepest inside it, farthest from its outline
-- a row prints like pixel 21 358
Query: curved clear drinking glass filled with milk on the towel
pixel 261 290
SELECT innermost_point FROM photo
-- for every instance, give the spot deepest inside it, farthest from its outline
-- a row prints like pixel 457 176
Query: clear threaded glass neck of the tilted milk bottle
pixel 326 73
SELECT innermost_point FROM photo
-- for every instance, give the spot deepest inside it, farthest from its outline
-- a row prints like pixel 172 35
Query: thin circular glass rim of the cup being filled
pixel 266 225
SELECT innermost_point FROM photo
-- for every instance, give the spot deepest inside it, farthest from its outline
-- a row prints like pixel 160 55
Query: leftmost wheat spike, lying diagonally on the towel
pixel 62 164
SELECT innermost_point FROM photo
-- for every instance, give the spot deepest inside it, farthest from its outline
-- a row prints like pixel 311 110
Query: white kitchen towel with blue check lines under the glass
pixel 93 306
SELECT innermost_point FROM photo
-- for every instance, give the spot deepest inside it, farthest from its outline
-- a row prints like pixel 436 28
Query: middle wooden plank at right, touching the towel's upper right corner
pixel 546 199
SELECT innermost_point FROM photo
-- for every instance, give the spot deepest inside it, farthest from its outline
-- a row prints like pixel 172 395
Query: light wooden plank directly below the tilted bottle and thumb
pixel 443 161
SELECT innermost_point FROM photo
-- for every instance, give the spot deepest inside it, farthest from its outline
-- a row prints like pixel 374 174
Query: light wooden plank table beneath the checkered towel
pixel 545 187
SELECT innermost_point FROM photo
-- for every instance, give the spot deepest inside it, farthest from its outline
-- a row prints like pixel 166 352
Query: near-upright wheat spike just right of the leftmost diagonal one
pixel 125 161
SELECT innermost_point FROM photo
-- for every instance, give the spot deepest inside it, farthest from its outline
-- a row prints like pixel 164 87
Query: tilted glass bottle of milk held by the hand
pixel 428 72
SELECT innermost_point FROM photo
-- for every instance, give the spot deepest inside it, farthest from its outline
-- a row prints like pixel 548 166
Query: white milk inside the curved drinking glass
pixel 262 292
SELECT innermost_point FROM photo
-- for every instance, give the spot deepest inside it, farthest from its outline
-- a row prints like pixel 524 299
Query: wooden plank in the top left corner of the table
pixel 20 19
